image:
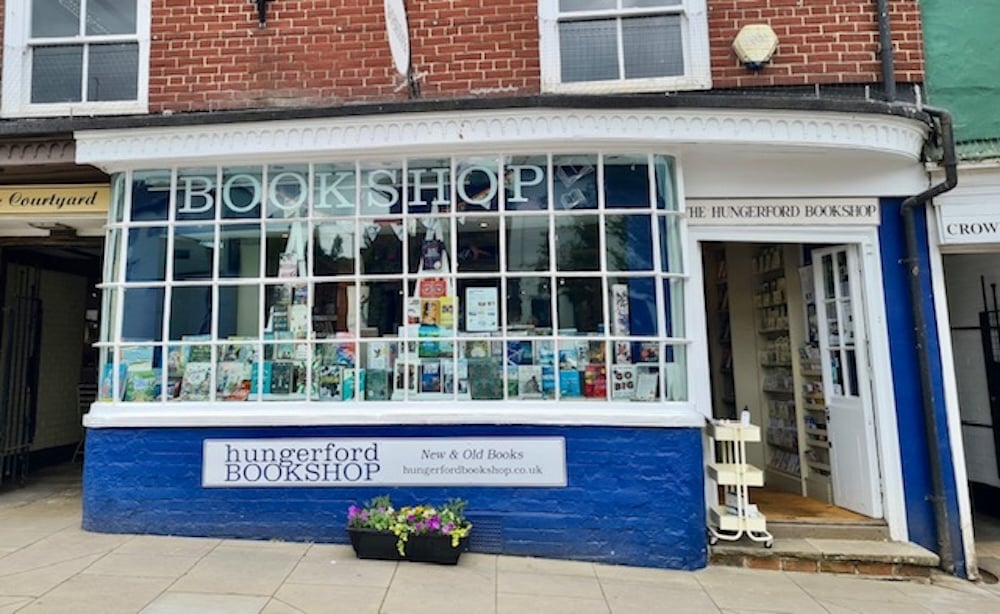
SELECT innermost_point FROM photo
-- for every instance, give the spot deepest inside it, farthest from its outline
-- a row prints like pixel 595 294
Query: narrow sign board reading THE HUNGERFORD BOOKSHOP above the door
pixel 783 212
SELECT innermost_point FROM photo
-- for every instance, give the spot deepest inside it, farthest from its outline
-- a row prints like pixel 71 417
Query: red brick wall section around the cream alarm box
pixel 820 41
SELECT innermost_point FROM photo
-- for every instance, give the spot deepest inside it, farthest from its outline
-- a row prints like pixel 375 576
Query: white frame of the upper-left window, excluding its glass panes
pixel 15 100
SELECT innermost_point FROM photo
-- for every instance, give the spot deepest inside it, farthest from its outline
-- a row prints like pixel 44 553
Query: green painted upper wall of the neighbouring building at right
pixel 962 50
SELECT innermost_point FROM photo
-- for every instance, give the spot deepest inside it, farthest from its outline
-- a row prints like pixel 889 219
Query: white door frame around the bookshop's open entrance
pixel 887 450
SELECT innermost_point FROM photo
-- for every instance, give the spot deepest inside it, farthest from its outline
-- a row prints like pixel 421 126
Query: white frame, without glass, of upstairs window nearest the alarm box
pixel 697 65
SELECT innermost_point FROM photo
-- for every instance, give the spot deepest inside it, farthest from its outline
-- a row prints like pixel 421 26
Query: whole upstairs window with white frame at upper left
pixel 76 56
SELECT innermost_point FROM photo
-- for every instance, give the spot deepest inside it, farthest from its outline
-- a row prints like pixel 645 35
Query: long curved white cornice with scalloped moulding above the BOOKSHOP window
pixel 496 131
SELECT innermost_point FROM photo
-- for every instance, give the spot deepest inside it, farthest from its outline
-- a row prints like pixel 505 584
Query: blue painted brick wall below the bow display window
pixel 633 496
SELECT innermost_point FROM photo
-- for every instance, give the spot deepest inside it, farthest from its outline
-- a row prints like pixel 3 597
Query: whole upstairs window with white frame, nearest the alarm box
pixel 610 46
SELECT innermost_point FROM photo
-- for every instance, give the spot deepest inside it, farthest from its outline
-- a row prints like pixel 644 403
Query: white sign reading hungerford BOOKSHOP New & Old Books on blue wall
pixel 312 462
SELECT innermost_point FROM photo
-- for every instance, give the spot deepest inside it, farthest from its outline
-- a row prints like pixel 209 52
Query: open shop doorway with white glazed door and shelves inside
pixel 787 342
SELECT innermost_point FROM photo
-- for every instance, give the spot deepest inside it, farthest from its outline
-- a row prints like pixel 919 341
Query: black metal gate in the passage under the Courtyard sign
pixel 20 340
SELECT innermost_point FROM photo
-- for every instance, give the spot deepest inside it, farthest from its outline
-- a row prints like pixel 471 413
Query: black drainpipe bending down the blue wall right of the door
pixel 948 161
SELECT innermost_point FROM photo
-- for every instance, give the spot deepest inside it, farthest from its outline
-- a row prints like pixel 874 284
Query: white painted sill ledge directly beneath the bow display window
pixel 205 415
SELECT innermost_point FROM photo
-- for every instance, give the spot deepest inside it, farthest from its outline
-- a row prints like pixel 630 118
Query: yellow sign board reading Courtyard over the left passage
pixel 54 199
